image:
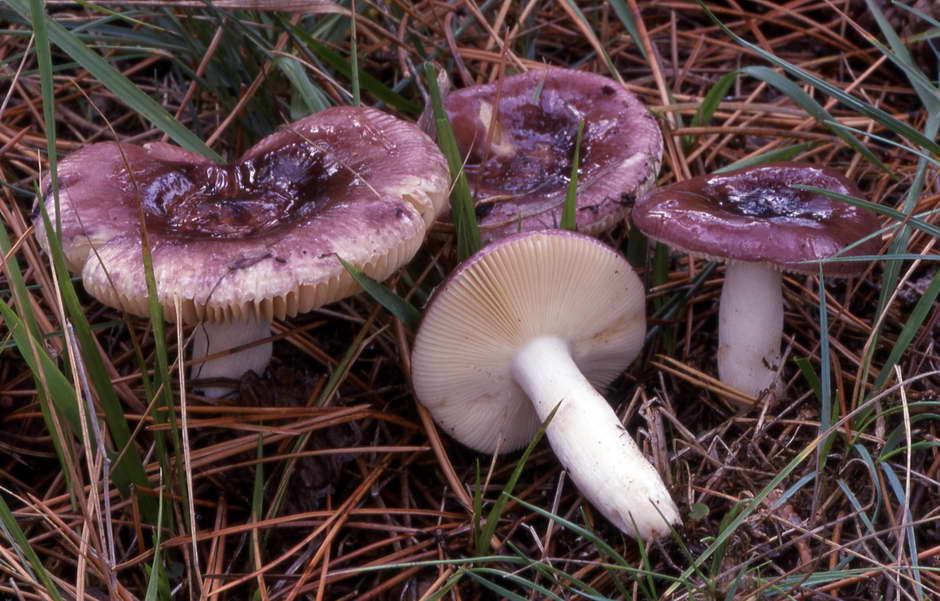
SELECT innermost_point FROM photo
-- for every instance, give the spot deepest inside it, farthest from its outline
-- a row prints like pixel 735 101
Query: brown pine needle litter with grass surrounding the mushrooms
pixel 321 478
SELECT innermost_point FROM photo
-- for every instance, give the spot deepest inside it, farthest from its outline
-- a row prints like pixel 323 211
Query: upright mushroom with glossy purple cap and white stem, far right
pixel 756 220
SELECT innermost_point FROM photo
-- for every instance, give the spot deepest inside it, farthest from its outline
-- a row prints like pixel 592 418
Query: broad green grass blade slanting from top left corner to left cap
pixel 122 87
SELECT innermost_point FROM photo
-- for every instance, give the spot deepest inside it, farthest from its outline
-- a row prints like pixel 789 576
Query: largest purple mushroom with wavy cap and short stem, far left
pixel 237 245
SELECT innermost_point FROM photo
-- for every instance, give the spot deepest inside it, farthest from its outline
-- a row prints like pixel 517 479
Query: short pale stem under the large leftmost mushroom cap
pixel 212 338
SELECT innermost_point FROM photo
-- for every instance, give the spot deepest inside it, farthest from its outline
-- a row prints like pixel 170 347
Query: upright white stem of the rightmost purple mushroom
pixel 750 328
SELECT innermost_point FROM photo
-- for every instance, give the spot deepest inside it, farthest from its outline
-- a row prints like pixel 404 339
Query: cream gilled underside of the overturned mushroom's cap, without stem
pixel 547 283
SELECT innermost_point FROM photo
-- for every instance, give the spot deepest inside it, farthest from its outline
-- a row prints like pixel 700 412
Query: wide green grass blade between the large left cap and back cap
pixel 462 209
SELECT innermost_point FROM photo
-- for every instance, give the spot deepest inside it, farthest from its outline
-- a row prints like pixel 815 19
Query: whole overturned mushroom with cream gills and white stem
pixel 533 322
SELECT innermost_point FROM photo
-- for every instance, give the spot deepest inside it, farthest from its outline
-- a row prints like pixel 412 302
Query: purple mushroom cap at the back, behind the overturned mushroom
pixel 519 138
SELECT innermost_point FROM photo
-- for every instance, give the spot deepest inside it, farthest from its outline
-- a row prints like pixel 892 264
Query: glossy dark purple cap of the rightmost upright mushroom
pixel 755 215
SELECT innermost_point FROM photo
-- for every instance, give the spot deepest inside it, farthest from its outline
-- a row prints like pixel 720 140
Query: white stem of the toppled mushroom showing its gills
pixel 599 454
